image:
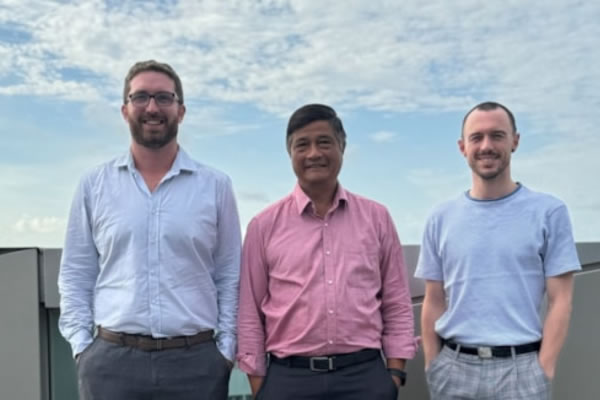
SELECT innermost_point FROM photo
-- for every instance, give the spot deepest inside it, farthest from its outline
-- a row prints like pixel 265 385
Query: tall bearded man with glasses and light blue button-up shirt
pixel 151 261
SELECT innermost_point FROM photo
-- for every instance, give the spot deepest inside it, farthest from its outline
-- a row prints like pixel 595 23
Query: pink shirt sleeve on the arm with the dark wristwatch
pixel 398 340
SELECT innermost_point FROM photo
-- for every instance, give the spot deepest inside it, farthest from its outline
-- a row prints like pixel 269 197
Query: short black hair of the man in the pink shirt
pixel 310 113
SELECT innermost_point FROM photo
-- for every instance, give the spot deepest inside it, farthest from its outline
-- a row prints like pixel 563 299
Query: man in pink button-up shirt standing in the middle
pixel 323 288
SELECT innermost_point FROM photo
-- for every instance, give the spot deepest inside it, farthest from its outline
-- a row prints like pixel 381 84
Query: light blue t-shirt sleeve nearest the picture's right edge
pixel 560 254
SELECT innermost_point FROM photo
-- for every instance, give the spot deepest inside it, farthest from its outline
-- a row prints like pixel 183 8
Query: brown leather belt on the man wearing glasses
pixel 148 343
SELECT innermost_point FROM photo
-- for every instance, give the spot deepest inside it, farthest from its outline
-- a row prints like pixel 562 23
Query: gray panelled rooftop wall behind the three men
pixel 29 340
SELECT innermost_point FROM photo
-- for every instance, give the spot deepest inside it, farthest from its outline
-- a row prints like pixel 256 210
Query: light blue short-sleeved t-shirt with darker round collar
pixel 494 257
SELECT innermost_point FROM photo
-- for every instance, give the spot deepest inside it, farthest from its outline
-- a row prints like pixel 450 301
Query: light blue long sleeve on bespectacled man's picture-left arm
pixel 78 273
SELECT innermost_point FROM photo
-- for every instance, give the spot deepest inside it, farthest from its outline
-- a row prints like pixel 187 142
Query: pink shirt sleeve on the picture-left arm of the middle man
pixel 251 355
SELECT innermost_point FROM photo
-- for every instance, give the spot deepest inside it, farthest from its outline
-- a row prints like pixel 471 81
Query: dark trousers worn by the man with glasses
pixel 109 371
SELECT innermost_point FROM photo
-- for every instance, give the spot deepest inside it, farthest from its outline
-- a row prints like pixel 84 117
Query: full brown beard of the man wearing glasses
pixel 150 136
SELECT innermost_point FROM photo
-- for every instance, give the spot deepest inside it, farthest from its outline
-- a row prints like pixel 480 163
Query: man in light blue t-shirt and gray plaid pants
pixel 487 257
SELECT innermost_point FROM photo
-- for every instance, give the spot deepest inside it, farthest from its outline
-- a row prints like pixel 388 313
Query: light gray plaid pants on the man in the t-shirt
pixel 453 375
